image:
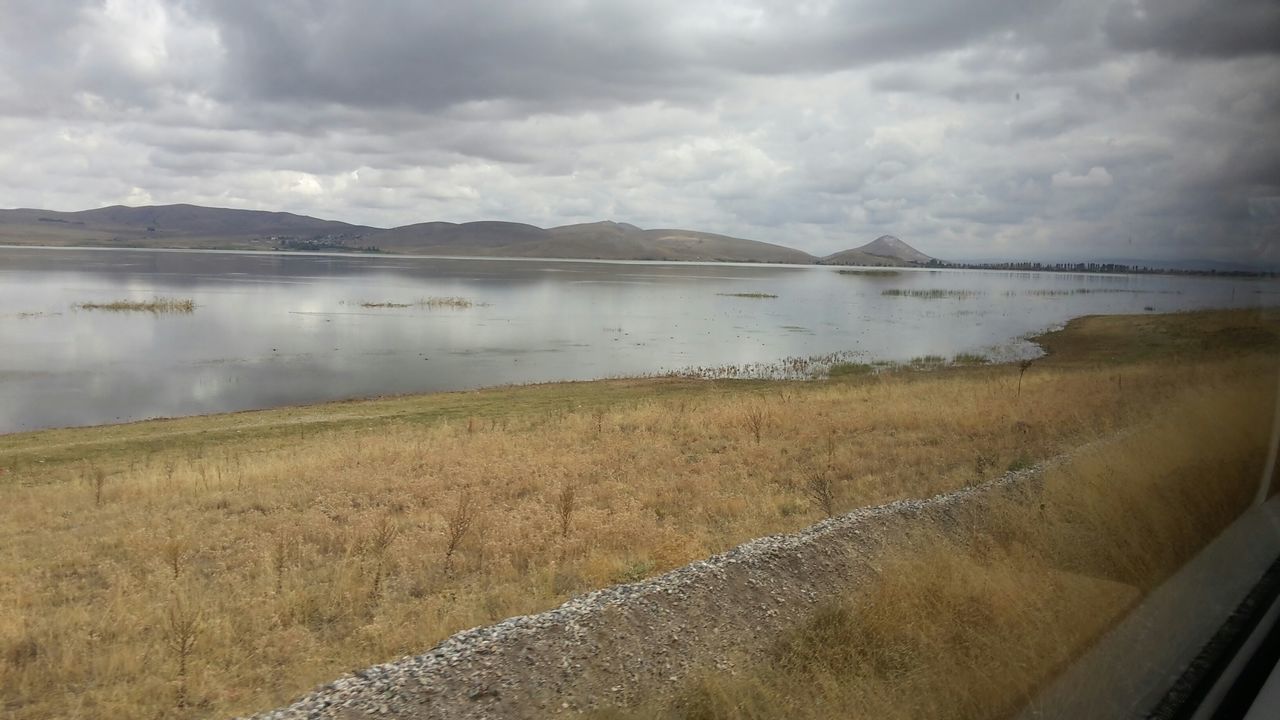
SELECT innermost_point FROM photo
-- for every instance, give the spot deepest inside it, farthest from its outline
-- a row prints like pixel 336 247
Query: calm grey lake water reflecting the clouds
pixel 276 330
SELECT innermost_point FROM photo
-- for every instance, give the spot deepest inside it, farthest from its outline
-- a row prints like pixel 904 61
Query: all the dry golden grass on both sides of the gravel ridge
pixel 208 567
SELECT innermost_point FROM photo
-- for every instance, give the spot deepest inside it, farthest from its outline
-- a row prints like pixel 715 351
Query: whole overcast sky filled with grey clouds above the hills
pixel 1039 130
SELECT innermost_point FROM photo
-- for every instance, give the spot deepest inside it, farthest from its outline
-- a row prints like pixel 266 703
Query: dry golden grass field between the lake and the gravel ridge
pixel 216 566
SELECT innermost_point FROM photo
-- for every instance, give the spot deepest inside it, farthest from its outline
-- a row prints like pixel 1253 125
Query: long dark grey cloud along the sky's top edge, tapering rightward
pixel 565 56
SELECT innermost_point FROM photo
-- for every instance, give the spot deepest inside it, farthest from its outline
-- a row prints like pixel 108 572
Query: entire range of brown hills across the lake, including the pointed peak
pixel 198 227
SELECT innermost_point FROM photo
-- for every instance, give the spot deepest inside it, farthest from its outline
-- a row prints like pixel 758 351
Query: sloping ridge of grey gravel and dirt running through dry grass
pixel 620 645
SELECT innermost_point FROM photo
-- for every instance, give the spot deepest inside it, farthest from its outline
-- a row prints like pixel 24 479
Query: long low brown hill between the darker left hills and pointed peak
pixel 604 240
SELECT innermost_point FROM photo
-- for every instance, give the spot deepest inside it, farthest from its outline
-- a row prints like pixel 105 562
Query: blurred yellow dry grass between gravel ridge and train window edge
pixel 970 622
